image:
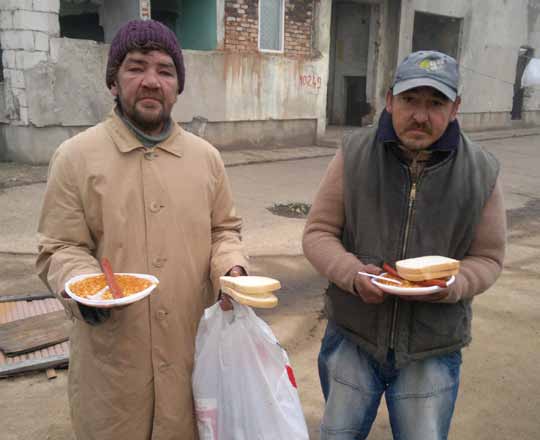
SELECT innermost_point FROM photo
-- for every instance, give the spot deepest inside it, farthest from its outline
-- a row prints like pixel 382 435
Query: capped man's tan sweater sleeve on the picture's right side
pixel 483 263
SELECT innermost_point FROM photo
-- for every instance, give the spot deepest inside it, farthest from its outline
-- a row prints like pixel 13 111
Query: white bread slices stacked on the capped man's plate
pixel 427 268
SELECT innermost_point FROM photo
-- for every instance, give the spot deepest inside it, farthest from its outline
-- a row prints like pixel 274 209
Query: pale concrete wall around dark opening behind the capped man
pixel 493 31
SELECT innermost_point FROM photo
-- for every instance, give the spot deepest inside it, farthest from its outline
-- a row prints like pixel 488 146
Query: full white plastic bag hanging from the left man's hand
pixel 243 384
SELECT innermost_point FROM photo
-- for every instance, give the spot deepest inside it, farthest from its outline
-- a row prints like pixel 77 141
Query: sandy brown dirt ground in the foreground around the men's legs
pixel 499 372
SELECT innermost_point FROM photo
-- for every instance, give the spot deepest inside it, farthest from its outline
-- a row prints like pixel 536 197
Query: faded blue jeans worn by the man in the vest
pixel 420 396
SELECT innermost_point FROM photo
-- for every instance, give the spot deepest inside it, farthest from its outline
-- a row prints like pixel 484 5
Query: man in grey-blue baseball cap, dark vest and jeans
pixel 413 186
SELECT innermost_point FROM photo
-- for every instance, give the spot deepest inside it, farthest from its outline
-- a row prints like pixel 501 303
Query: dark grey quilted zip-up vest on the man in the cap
pixel 450 197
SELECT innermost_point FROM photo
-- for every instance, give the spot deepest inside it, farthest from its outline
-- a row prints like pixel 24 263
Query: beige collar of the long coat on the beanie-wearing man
pixel 126 141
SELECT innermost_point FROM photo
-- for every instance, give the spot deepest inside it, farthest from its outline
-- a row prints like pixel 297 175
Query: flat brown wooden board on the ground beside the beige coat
pixel 30 334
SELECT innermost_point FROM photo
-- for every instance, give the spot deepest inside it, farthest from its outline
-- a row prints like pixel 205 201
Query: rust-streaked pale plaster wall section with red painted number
pixel 224 86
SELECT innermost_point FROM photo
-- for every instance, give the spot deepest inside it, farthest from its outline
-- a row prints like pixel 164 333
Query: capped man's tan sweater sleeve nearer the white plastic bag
pixel 324 227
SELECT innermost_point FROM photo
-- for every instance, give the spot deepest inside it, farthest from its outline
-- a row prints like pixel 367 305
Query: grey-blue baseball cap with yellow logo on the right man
pixel 428 68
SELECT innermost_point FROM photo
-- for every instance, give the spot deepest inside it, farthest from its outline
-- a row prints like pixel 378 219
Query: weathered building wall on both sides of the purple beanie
pixel 229 95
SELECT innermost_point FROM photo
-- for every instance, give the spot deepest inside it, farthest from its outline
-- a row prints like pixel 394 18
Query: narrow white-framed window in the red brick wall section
pixel 271 20
